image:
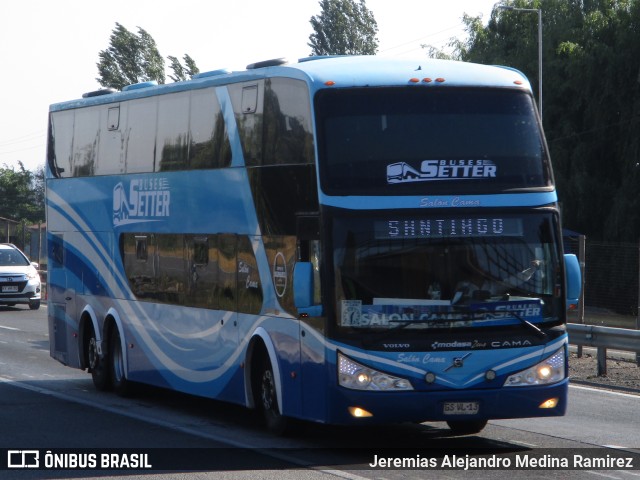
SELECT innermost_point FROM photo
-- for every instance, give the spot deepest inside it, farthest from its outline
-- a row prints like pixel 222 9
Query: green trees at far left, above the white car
pixel 22 194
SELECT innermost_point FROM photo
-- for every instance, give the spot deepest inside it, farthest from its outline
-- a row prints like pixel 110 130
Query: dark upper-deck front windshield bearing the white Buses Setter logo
pixel 391 141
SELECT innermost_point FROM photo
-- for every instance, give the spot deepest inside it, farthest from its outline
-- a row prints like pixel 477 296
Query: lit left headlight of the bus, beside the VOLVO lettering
pixel 355 376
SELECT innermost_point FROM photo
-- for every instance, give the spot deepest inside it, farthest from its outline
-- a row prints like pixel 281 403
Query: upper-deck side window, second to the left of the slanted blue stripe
pixel 172 136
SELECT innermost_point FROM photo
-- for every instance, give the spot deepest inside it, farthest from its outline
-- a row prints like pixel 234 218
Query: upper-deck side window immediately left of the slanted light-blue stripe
pixel 209 145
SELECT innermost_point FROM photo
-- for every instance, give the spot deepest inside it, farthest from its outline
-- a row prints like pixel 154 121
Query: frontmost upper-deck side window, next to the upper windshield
pixel 287 135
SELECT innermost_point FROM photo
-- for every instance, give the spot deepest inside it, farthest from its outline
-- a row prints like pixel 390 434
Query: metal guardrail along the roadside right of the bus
pixel 603 338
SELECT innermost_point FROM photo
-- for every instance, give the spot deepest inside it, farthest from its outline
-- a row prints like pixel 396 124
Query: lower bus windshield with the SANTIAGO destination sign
pixel 451 270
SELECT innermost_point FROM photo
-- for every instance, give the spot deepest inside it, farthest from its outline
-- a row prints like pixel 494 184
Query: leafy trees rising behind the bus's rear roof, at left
pixel 132 58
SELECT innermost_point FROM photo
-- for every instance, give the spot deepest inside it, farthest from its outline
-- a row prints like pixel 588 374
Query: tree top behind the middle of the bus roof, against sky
pixel 344 27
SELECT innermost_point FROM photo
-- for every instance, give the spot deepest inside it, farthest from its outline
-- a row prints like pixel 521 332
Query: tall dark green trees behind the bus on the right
pixel 591 101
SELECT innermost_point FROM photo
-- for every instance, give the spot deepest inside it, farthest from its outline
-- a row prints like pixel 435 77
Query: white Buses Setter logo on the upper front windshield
pixel 439 170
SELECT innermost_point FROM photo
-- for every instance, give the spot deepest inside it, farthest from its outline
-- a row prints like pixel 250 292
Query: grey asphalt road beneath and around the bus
pixel 49 407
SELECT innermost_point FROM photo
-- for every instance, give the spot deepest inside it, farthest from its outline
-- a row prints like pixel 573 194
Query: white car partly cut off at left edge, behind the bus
pixel 19 278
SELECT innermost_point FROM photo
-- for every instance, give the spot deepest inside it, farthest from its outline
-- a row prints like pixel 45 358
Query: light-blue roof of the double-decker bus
pixel 329 72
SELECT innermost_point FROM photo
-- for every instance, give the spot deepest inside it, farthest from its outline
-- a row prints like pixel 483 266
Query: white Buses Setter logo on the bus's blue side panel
pixel 142 200
